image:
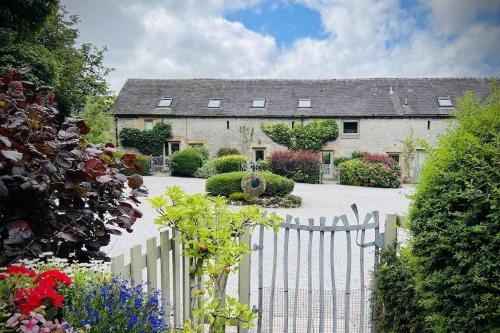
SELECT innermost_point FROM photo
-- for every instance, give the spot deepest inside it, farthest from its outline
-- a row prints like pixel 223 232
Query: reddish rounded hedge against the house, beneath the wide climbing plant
pixel 300 166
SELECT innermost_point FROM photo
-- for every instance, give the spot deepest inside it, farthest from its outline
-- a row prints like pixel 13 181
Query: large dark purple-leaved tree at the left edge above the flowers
pixel 57 192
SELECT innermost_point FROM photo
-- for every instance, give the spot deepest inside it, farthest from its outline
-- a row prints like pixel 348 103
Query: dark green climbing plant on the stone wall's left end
pixel 148 142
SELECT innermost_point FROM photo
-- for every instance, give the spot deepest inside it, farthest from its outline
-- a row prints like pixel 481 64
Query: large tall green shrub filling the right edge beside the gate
pixel 455 222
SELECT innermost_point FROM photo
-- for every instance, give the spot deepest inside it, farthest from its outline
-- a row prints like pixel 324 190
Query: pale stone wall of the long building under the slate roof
pixel 375 134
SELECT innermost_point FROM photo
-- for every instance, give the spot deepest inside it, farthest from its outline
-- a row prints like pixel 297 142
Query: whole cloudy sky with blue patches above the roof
pixel 292 39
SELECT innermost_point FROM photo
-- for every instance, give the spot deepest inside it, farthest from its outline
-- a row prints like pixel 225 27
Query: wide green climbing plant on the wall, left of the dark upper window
pixel 311 137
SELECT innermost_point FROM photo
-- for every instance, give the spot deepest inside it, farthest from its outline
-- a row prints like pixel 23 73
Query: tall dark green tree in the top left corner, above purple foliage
pixel 41 34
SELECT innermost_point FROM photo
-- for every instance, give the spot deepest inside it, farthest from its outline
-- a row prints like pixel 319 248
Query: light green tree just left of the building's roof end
pixel 101 123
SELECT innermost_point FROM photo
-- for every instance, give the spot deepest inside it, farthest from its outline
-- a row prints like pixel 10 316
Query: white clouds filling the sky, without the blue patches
pixel 185 39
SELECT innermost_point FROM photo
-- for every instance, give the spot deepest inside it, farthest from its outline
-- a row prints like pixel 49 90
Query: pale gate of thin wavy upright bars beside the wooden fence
pixel 334 298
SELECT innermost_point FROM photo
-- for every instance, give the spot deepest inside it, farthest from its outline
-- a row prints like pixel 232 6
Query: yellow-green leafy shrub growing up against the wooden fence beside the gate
pixel 212 234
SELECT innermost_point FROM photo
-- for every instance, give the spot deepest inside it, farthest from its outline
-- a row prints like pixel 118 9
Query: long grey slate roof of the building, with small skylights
pixel 330 98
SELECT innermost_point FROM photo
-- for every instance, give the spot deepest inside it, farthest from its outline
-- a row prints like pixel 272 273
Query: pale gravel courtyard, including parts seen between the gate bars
pixel 326 200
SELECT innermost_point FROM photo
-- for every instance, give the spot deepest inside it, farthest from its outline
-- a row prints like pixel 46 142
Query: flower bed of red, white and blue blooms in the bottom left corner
pixel 55 296
